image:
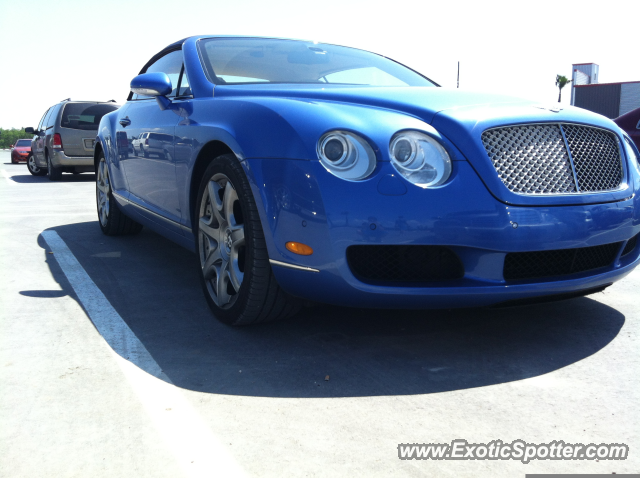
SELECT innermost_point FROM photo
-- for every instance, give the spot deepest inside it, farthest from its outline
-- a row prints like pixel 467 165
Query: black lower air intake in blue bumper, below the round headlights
pixel 404 263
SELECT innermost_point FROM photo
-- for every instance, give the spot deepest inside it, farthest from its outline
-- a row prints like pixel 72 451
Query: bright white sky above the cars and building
pixel 90 50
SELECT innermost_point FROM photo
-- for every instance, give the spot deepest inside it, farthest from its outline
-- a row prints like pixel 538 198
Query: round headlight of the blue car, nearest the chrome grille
pixel 420 159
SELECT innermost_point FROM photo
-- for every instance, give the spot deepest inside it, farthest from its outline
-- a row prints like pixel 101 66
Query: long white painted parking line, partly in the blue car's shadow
pixel 196 448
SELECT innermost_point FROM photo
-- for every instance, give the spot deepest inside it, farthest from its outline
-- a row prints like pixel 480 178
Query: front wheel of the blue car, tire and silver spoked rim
pixel 233 262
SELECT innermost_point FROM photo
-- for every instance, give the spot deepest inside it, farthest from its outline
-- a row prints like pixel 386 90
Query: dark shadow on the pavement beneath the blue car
pixel 153 285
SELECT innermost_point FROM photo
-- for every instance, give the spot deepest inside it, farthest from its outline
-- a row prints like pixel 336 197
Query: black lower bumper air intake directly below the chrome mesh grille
pixel 559 262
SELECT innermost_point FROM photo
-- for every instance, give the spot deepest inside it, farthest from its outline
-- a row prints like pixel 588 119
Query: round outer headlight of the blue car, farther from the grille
pixel 346 155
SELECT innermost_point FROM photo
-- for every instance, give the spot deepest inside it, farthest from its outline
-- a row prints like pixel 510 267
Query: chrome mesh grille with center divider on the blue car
pixel 534 159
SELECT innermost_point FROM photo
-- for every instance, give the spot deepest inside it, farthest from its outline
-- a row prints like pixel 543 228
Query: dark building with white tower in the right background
pixel 608 99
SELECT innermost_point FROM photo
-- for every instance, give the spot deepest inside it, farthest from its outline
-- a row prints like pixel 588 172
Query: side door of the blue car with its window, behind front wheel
pixel 150 167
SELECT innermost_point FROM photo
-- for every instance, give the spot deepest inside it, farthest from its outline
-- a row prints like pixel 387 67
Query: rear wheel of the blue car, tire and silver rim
pixel 112 221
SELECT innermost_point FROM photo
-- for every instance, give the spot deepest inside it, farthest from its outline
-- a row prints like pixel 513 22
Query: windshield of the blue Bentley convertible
pixel 260 60
